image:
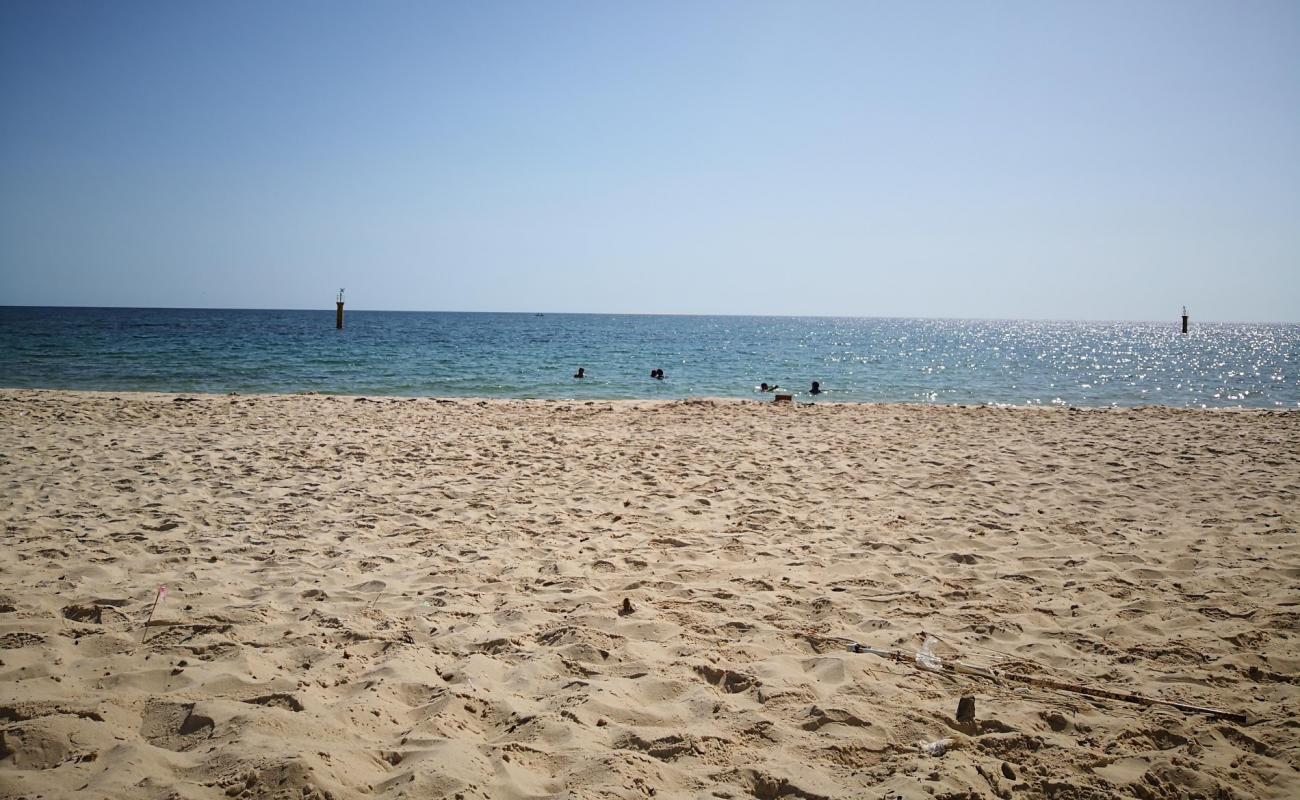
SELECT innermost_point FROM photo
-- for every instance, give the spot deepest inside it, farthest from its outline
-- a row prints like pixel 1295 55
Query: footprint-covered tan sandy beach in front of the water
pixel 379 598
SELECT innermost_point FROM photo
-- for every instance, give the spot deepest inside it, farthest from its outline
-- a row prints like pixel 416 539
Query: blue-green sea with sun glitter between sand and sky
pixel 525 356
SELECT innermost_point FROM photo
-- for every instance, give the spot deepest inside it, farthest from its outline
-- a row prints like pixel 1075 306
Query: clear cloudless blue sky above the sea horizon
pixel 993 159
